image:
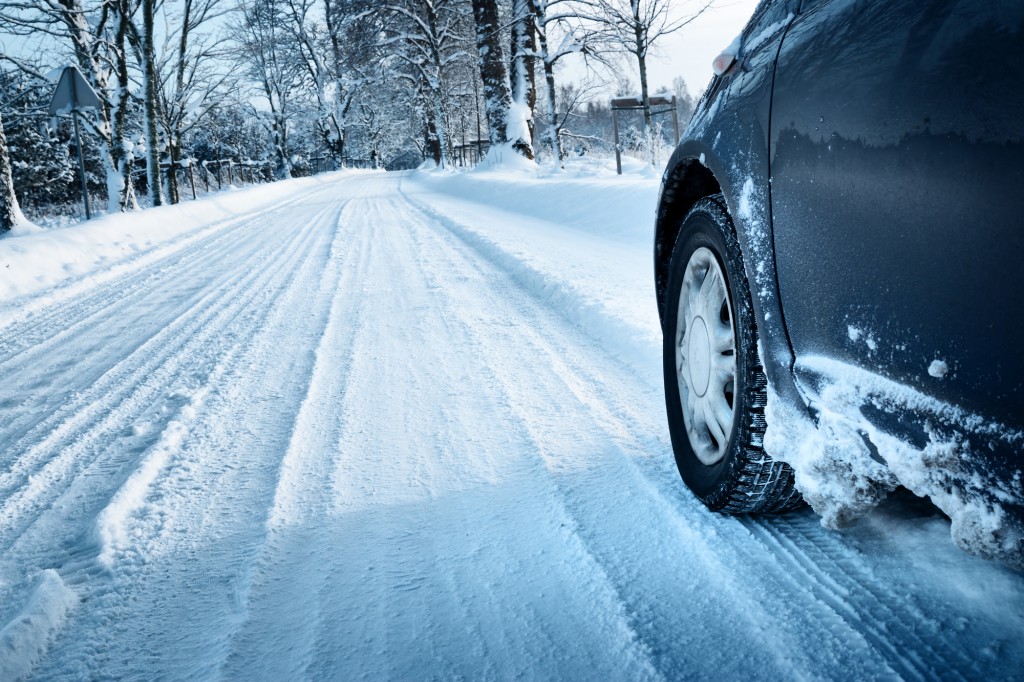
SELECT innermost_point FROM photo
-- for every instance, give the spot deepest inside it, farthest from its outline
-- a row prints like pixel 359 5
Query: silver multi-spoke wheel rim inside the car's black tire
pixel 706 358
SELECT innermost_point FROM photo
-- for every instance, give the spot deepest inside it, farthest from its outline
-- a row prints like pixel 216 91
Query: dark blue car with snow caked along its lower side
pixel 839 263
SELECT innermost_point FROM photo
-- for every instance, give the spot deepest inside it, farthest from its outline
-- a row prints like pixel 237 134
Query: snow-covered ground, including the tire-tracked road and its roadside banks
pixel 380 427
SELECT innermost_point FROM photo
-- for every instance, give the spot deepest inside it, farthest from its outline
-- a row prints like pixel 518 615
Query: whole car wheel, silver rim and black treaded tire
pixel 715 388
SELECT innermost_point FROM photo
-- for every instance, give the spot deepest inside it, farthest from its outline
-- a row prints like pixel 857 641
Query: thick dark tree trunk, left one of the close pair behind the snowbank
pixel 497 95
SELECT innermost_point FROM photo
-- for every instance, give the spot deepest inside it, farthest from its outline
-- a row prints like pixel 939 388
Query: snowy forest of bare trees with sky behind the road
pixel 198 95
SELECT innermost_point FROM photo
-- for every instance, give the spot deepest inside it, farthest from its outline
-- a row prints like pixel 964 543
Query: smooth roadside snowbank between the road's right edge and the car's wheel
pixel 580 240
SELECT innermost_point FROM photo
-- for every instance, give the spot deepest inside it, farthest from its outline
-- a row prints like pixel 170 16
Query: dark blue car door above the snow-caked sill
pixel 897 193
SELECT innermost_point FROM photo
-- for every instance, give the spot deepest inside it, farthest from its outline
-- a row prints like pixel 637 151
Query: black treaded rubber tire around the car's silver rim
pixel 745 480
